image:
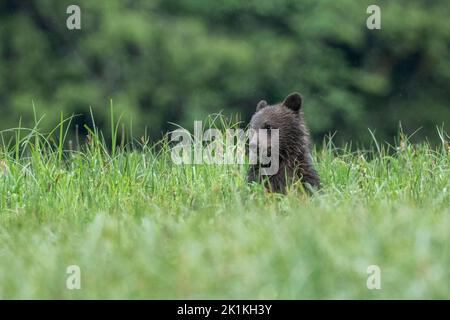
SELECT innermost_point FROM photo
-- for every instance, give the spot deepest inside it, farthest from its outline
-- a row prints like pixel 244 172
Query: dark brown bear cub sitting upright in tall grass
pixel 295 163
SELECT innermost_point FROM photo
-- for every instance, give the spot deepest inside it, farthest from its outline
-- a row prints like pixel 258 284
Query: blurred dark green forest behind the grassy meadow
pixel 164 61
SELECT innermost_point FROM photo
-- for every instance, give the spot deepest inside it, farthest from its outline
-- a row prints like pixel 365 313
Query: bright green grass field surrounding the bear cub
pixel 139 226
